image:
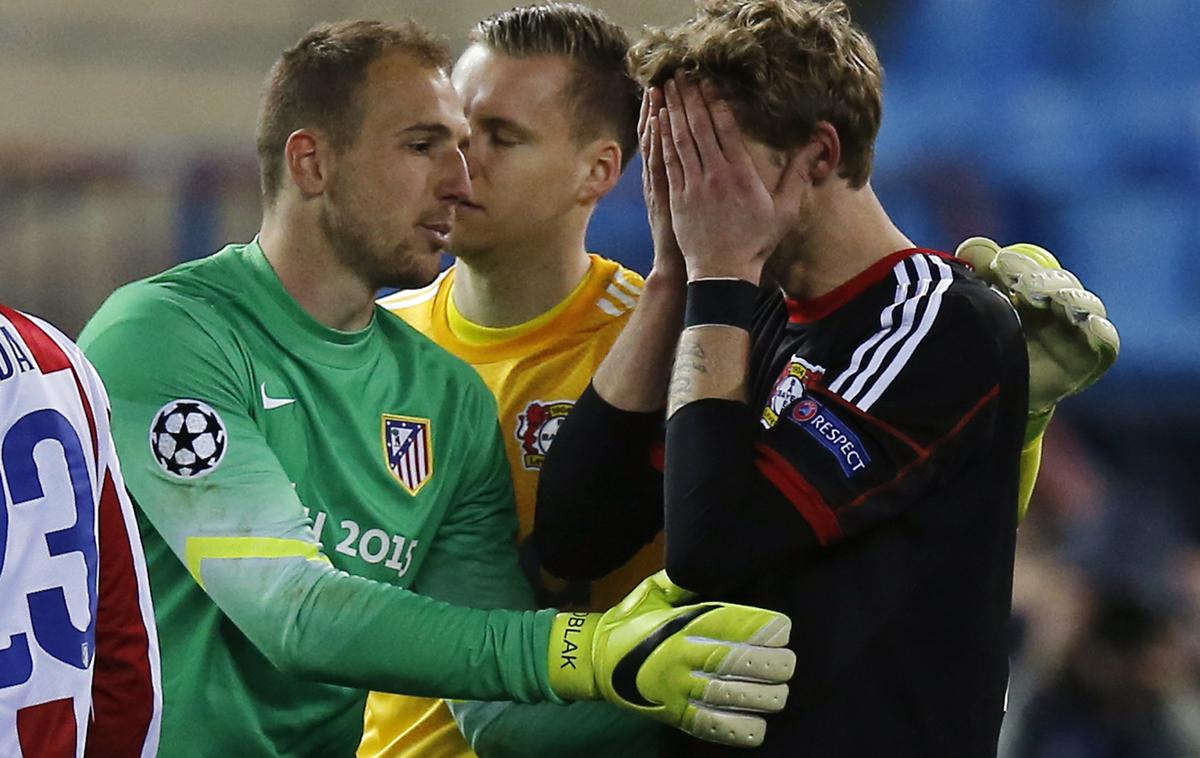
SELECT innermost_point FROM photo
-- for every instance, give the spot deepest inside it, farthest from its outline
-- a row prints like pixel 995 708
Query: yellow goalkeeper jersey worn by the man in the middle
pixel 537 371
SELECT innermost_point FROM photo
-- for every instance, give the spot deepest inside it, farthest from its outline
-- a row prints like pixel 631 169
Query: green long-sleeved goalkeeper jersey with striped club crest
pixel 309 498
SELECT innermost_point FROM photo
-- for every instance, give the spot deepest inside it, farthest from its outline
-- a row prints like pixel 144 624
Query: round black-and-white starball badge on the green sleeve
pixel 188 438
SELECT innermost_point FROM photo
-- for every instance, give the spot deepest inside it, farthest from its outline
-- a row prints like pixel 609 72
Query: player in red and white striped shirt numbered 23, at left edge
pixel 79 649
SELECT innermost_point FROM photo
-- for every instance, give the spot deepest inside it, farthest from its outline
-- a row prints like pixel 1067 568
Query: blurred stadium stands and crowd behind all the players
pixel 127 145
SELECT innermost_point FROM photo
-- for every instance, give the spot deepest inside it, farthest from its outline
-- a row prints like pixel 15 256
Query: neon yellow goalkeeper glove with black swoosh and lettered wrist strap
pixel 709 669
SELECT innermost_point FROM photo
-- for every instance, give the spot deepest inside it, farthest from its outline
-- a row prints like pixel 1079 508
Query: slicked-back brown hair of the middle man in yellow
pixel 604 98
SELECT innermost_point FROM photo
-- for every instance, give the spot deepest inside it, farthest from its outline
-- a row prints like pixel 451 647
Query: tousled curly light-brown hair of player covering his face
pixel 784 65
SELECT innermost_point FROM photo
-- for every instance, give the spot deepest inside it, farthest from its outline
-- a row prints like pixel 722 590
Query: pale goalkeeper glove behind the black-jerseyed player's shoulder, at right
pixel 1071 341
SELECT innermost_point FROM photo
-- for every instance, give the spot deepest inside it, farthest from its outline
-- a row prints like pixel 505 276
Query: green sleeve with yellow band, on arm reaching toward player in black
pixel 247 540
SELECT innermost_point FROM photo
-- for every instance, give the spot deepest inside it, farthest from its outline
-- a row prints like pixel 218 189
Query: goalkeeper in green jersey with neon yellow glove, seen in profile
pixel 321 489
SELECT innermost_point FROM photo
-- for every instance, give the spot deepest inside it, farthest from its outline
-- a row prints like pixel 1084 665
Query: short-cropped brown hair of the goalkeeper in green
pixel 317 85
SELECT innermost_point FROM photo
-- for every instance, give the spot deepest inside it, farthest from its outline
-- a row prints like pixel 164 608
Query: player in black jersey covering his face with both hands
pixel 847 411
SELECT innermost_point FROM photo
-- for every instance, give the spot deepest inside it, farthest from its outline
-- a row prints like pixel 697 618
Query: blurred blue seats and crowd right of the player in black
pixel 1077 124
